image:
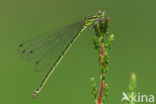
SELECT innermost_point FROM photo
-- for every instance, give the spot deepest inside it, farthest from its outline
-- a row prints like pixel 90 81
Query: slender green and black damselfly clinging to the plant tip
pixel 49 48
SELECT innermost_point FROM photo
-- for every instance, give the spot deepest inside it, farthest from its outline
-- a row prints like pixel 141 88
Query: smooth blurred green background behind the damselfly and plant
pixel 132 21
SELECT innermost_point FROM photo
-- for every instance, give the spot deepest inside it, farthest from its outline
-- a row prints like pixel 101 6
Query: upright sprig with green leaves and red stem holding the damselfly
pixel 102 44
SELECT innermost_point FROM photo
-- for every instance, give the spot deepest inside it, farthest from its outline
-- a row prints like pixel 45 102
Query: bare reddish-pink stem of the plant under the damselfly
pixel 102 81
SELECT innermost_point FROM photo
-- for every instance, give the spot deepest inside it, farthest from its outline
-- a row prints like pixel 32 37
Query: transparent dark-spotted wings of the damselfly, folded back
pixel 46 49
